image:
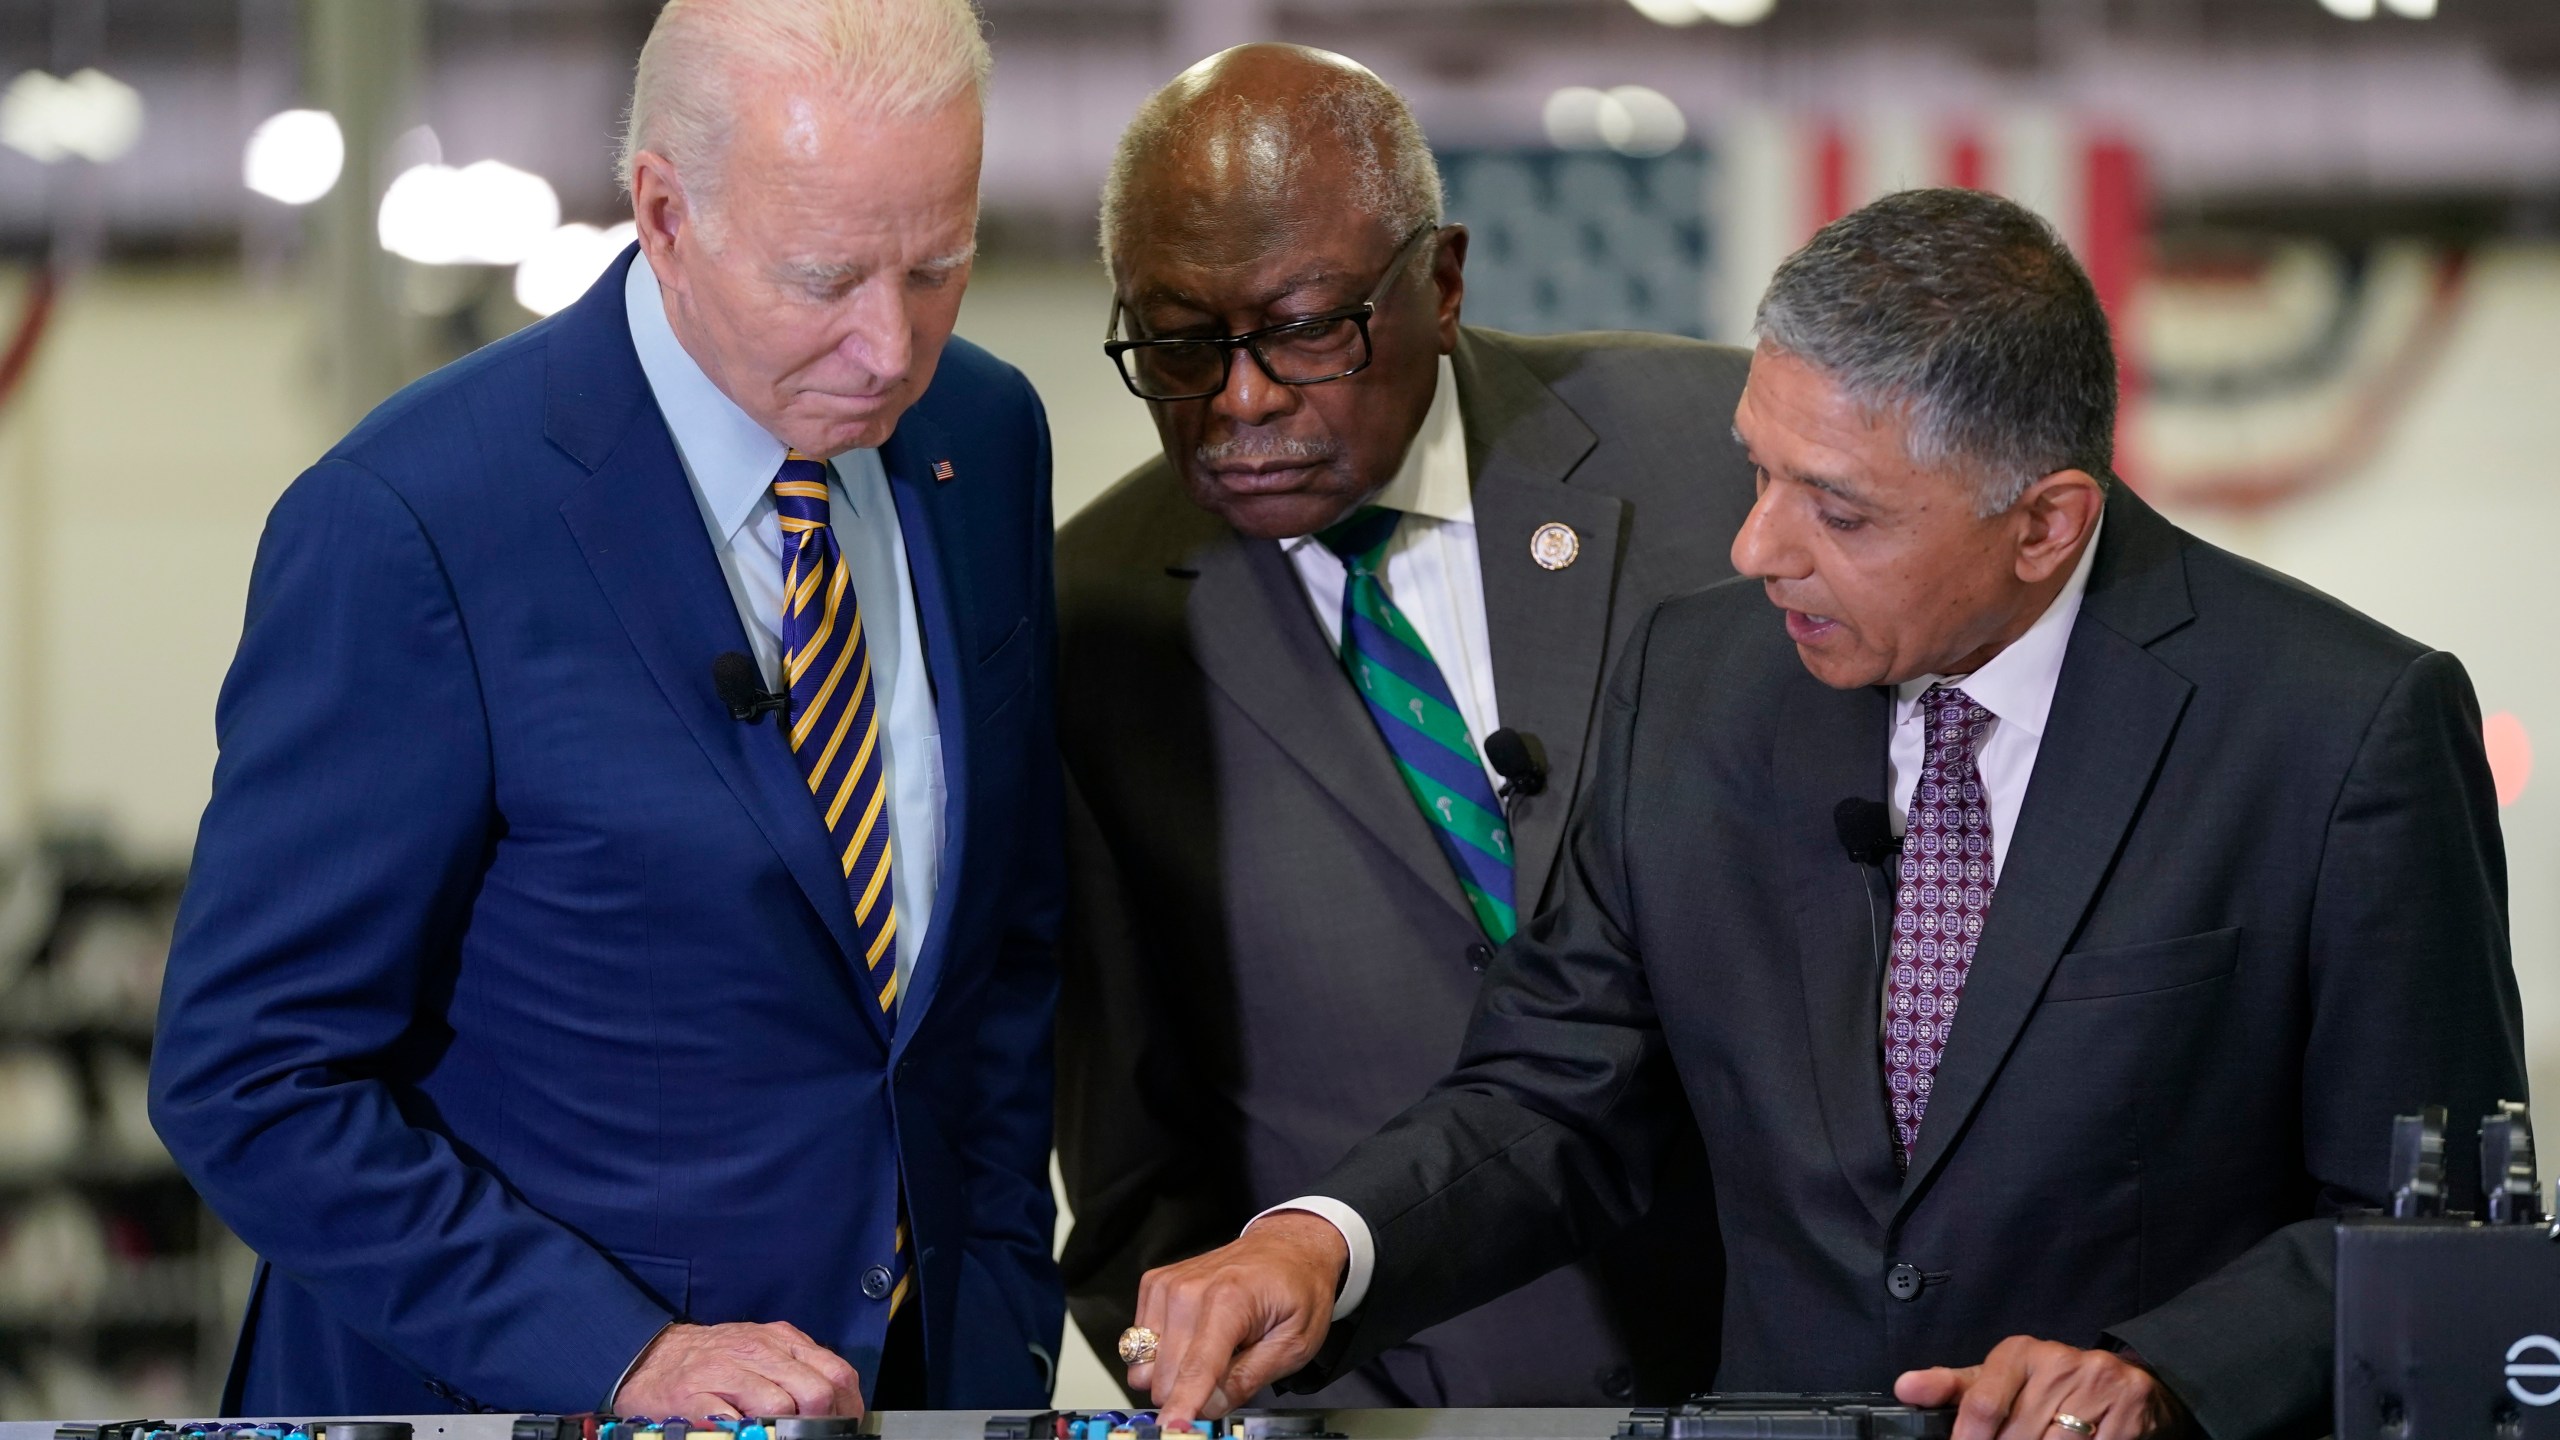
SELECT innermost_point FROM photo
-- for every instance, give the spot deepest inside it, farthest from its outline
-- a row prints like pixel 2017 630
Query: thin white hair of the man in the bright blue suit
pixel 897 58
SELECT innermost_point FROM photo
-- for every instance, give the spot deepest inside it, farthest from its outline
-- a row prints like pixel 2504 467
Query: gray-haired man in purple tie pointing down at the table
pixel 2049 1129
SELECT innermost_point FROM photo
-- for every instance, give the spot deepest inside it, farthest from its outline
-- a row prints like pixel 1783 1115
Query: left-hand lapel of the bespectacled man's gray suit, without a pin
pixel 1258 642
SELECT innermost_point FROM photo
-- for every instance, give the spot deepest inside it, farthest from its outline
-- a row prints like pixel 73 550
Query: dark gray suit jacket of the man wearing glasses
pixel 1268 954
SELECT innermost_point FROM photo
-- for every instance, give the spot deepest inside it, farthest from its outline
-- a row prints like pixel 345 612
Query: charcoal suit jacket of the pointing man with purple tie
pixel 2254 906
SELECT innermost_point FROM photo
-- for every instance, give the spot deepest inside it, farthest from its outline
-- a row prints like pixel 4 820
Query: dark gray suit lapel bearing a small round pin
pixel 1550 626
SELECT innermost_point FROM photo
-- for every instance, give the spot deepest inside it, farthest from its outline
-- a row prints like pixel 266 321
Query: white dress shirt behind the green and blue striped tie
pixel 1432 568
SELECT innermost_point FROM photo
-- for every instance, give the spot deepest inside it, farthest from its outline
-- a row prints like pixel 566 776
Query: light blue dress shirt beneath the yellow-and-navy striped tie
pixel 731 462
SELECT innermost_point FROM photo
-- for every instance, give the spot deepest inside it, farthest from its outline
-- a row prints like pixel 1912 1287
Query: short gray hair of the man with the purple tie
pixel 1965 314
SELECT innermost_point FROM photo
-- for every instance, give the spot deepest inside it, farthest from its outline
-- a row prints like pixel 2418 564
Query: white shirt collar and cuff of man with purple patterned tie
pixel 2016 688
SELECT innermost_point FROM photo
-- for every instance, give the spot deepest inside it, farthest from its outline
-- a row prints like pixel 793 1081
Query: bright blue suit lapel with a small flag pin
pixel 910 457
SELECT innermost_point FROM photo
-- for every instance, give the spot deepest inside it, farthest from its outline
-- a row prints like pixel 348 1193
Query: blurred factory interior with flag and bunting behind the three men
pixel 2328 234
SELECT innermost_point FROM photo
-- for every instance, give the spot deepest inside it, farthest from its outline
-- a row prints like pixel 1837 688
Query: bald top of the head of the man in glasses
pixel 1263 140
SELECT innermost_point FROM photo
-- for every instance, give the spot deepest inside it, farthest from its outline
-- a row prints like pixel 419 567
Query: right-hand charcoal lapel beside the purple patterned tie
pixel 2116 711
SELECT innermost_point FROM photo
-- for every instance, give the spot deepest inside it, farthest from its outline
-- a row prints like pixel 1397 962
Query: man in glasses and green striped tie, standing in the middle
pixel 1286 888
